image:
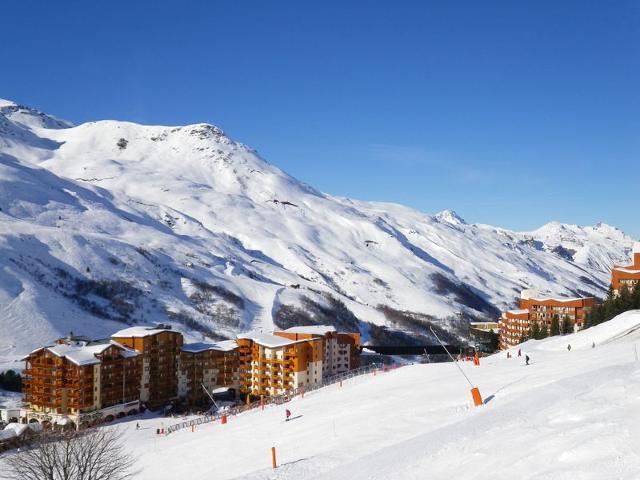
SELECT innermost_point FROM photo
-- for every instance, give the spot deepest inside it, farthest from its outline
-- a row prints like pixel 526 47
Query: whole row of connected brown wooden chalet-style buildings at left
pixel 83 381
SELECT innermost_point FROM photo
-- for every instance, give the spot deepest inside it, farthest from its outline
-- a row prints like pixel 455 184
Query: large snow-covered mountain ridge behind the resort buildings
pixel 110 222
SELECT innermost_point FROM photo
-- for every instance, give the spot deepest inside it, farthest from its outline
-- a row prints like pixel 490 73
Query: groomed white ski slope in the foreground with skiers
pixel 569 415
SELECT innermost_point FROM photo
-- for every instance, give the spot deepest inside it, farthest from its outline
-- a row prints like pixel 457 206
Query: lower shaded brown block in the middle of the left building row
pixel 205 367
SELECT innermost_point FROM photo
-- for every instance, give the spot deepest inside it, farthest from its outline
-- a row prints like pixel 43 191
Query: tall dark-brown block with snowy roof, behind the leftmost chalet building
pixel 160 347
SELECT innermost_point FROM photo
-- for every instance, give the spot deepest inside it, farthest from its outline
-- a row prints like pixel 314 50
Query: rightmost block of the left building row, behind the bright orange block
pixel 341 351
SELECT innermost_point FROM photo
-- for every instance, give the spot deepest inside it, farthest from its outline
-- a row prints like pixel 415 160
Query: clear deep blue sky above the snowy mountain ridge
pixel 512 113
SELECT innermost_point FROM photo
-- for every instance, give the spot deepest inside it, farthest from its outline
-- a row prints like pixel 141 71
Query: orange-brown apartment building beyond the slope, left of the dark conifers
pixel 516 324
